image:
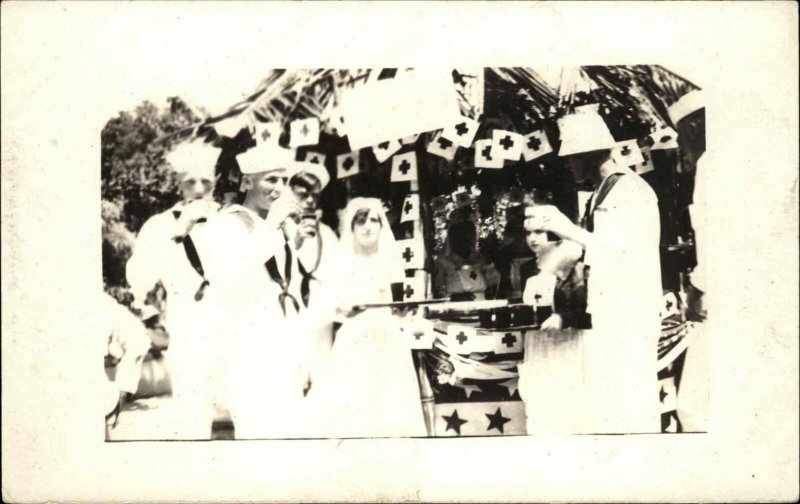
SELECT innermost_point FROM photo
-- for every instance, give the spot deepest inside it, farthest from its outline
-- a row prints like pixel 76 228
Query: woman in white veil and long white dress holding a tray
pixel 369 388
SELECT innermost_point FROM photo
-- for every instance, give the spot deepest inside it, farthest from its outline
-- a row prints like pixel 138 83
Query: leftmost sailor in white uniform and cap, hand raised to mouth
pixel 165 253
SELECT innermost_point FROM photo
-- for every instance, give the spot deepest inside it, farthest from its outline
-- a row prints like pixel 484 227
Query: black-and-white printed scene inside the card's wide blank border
pixel 394 252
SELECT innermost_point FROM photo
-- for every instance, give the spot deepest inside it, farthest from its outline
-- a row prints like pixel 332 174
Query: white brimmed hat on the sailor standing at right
pixel 584 131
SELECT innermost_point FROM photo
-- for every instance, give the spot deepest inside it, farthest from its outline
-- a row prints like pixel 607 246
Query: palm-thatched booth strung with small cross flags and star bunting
pixel 455 156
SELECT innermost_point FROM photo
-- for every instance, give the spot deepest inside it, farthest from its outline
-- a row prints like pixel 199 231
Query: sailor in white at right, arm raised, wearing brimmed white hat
pixel 621 241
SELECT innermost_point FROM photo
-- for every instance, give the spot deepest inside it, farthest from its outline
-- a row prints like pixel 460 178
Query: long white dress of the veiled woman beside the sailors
pixel 370 386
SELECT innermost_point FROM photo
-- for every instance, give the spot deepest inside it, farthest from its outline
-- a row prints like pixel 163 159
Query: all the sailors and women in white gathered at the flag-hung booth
pixel 266 305
